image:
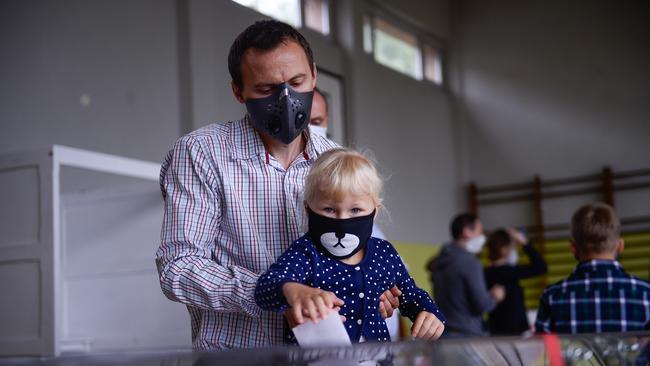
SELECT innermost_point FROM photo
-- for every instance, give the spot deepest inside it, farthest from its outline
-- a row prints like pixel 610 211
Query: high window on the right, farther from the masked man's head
pixel 402 51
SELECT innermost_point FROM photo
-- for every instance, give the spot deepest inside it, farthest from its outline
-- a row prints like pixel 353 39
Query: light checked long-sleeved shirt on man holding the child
pixel 230 210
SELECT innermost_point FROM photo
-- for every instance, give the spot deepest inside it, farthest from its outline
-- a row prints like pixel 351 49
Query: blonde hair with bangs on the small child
pixel 342 171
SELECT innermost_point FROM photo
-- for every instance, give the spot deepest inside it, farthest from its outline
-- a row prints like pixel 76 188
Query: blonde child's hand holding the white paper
pixel 308 302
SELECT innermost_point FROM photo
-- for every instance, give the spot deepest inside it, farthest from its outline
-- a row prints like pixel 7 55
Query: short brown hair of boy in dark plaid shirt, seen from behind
pixel 595 228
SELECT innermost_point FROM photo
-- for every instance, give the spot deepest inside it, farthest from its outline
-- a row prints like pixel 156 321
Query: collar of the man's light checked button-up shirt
pixel 247 143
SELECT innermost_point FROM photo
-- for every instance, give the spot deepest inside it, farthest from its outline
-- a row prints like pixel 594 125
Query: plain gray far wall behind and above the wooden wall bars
pixel 553 88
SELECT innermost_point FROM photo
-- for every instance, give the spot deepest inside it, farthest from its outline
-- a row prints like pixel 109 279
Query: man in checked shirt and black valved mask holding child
pixel 233 192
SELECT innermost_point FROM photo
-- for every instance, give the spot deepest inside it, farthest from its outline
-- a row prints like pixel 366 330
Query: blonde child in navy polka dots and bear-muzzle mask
pixel 337 265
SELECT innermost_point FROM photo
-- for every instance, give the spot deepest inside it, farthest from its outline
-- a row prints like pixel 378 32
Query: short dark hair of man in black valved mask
pixel 264 35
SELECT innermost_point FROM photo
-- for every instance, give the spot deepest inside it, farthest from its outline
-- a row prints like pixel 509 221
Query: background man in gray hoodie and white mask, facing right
pixel 458 280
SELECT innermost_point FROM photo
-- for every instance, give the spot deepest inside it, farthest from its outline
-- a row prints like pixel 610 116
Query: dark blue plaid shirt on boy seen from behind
pixel 599 296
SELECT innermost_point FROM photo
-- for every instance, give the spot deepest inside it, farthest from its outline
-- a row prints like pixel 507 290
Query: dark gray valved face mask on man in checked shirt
pixel 282 115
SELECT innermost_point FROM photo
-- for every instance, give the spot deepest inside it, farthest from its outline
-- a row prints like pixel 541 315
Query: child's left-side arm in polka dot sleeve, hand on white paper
pixel 282 287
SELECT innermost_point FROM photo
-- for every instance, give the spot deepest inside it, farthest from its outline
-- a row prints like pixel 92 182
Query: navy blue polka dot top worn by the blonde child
pixel 359 286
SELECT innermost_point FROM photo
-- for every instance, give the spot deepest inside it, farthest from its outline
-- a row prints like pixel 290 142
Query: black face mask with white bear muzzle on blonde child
pixel 340 238
